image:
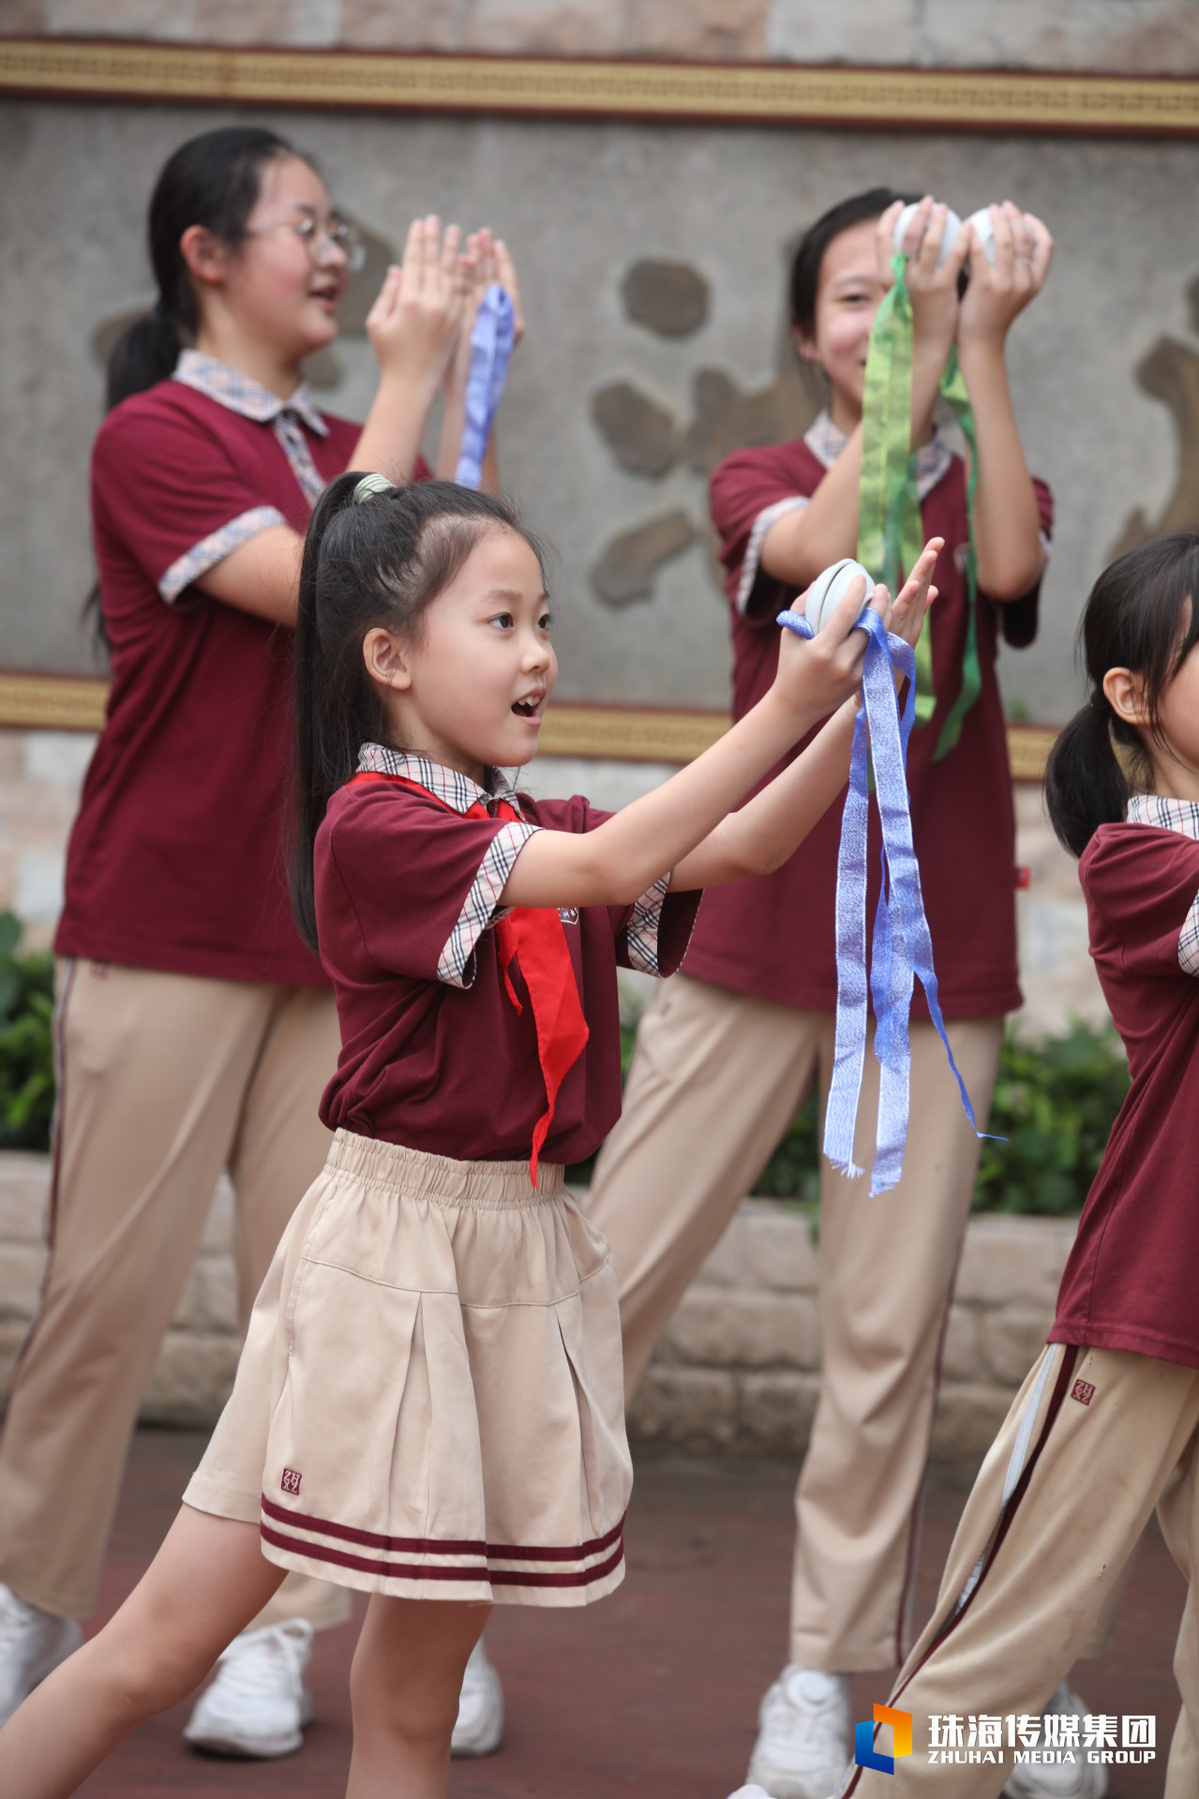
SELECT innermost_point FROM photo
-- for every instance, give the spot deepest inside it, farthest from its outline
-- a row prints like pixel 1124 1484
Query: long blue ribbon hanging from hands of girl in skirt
pixel 903 947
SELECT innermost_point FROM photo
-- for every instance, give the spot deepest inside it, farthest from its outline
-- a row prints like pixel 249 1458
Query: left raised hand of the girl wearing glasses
pixel 417 321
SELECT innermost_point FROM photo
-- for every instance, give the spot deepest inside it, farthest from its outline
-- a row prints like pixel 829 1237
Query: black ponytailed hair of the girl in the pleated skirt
pixel 374 562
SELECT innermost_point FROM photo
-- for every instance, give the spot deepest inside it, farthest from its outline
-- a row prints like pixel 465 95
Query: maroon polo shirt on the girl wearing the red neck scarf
pixel 435 1055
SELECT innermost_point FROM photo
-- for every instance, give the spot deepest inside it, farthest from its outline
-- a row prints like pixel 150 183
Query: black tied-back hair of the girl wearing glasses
pixel 210 181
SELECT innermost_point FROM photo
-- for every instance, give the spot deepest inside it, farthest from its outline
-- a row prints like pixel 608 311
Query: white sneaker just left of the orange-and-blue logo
pixel 804 1739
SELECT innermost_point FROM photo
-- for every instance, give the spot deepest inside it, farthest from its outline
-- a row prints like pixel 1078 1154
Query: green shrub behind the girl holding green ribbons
pixel 1056 1102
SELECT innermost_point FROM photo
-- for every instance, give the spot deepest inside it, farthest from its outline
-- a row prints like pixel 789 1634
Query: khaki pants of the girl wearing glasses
pixel 165 1080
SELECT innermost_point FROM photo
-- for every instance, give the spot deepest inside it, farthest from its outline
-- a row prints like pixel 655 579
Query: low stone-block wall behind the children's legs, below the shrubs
pixel 737 1368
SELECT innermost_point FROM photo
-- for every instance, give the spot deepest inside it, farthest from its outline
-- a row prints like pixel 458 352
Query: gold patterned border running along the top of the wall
pixel 933 100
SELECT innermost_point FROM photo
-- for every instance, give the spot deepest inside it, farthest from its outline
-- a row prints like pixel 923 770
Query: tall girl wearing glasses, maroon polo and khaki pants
pixel 195 1030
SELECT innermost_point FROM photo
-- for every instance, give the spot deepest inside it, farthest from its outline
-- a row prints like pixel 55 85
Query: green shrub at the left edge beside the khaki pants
pixel 26 1043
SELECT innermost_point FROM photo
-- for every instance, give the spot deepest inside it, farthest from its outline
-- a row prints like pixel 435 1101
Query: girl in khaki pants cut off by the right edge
pixel 1106 1424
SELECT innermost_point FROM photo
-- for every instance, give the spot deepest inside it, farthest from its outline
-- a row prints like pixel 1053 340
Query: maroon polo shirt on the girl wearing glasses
pixel 177 857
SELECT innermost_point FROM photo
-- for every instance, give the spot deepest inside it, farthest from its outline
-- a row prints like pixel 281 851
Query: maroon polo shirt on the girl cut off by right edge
pixel 1131 1276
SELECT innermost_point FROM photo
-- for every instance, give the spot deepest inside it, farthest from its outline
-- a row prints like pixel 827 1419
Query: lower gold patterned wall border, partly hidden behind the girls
pixel 611 733
